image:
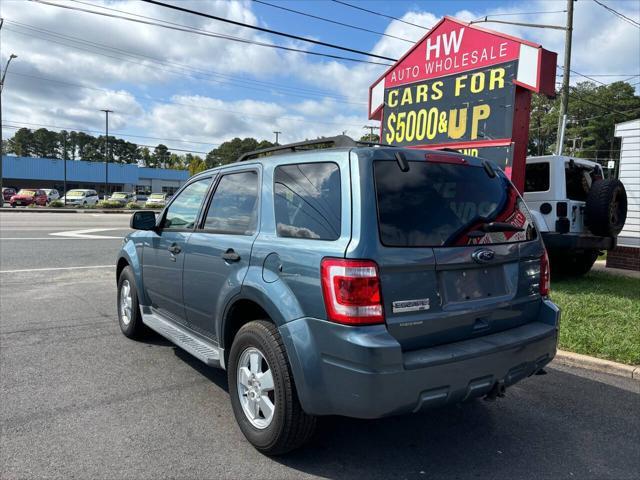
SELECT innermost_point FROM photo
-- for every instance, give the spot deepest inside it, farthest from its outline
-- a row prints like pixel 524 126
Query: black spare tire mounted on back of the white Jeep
pixel 606 209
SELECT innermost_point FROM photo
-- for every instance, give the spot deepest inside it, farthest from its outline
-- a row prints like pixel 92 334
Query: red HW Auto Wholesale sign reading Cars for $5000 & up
pixel 466 88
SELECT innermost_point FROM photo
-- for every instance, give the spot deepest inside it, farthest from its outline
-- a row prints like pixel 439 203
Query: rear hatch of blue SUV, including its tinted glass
pixel 459 255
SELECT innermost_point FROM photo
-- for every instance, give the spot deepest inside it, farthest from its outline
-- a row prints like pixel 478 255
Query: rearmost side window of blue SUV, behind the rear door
pixel 308 201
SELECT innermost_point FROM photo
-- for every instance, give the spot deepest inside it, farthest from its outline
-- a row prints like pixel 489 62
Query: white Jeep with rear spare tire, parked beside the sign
pixel 578 212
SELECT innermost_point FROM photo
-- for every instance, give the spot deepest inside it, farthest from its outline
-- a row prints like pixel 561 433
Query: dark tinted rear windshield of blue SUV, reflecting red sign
pixel 438 204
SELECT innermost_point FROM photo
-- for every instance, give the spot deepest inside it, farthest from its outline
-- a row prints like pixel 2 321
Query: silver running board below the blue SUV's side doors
pixel 196 346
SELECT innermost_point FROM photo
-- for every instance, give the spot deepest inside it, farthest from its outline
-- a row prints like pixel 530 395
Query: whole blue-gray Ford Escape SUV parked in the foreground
pixel 352 280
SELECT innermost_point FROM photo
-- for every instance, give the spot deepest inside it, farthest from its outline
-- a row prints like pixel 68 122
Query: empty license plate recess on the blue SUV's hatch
pixel 462 285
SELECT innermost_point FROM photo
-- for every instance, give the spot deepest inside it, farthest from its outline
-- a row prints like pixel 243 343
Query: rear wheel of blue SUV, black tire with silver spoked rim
pixel 289 426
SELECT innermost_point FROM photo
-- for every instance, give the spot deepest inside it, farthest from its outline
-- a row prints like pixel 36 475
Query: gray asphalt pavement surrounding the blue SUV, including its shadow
pixel 79 400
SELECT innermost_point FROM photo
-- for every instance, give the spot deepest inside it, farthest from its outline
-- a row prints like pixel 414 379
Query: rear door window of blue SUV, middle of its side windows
pixel 234 207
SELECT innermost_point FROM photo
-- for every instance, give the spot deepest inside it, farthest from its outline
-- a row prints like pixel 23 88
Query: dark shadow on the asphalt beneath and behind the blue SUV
pixel 556 426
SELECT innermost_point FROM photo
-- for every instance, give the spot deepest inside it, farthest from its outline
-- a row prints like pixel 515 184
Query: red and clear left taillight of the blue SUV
pixel 351 290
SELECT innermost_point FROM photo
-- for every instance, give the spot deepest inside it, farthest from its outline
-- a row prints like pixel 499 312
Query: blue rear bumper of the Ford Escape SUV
pixel 362 372
